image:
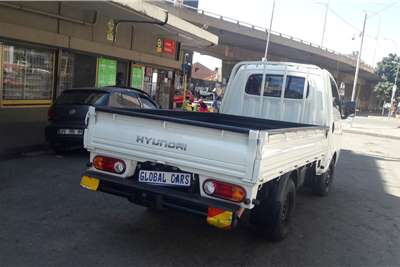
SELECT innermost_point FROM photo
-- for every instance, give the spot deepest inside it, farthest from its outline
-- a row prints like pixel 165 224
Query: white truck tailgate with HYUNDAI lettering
pixel 207 151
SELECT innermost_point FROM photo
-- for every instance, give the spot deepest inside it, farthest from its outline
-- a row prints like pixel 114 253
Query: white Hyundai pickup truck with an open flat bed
pixel 279 128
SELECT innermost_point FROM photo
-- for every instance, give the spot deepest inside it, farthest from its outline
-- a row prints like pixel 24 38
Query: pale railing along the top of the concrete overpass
pixel 259 28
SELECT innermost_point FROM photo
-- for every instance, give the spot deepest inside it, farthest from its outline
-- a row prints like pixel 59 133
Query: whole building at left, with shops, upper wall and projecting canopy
pixel 48 47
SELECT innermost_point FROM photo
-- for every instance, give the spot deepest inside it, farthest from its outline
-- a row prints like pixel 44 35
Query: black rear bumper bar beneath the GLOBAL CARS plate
pixel 157 196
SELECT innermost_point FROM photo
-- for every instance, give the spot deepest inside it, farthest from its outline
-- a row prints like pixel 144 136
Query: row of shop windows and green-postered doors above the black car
pixel 29 75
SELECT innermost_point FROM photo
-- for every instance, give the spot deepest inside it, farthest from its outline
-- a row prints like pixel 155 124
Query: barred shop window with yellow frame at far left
pixel 27 73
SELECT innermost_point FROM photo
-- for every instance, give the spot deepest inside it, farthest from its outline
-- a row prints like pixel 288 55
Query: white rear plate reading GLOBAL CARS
pixel 165 178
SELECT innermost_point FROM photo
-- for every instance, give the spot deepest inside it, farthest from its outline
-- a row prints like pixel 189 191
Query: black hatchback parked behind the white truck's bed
pixel 67 115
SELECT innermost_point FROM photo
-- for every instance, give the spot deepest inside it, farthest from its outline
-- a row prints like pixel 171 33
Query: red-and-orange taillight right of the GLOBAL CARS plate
pixel 224 190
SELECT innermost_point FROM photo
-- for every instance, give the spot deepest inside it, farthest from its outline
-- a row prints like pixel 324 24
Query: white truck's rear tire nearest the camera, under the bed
pixel 274 213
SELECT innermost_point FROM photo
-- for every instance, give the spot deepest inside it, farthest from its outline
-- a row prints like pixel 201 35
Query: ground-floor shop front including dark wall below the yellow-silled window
pixel 33 76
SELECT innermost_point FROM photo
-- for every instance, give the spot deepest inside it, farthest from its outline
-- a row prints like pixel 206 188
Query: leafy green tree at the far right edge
pixel 386 70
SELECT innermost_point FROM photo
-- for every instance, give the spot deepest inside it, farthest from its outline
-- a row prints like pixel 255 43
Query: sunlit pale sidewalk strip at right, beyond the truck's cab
pixel 374 126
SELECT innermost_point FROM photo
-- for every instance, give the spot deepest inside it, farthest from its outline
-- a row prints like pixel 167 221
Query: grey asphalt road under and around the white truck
pixel 46 219
